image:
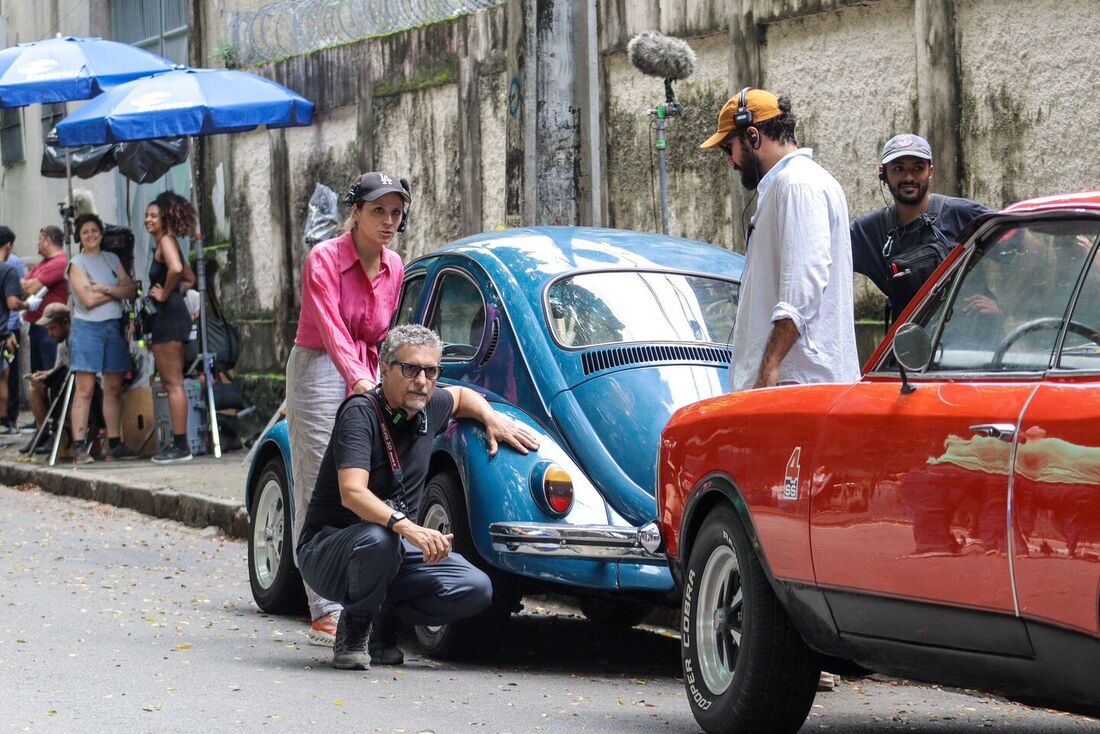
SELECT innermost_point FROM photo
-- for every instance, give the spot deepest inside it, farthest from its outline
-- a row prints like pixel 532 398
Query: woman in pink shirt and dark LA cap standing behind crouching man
pixel 350 291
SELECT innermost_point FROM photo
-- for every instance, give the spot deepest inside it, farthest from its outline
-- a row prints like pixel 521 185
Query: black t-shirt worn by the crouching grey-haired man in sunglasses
pixel 357 443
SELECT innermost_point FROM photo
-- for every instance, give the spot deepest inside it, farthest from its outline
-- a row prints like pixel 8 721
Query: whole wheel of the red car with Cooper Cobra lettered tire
pixel 768 682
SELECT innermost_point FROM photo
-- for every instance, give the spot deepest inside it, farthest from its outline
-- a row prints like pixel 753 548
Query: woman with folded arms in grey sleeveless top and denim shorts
pixel 100 284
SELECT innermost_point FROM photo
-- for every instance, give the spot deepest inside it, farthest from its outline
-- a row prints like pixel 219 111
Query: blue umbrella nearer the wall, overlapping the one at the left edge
pixel 185 103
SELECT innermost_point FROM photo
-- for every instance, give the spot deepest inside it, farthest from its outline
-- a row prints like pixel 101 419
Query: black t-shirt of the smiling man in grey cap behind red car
pixel 870 235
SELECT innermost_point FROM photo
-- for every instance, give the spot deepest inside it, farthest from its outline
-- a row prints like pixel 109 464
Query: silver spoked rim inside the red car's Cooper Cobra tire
pixel 719 620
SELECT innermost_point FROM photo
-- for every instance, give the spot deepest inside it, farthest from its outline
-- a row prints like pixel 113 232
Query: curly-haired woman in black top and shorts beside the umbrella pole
pixel 168 218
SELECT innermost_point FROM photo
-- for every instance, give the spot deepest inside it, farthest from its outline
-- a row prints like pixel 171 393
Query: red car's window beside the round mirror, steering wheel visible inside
pixel 1010 306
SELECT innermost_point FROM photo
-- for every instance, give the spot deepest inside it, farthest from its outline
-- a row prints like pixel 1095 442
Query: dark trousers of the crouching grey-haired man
pixel 366 565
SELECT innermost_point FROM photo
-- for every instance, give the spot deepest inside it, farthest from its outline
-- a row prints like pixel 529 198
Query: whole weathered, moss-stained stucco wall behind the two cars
pixel 1009 85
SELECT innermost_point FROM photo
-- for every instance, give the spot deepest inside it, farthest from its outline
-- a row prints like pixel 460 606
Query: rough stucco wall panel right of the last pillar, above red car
pixel 1030 105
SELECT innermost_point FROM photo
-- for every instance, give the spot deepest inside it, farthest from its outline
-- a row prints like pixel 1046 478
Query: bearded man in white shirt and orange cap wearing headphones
pixel 795 316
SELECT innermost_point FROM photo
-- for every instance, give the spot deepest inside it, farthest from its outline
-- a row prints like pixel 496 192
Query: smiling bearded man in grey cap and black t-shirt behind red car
pixel 899 247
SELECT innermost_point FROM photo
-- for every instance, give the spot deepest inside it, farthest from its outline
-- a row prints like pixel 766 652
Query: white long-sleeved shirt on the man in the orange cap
pixel 798 268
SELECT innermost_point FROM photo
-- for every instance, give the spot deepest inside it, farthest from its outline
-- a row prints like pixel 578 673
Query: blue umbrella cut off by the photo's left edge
pixel 67 70
